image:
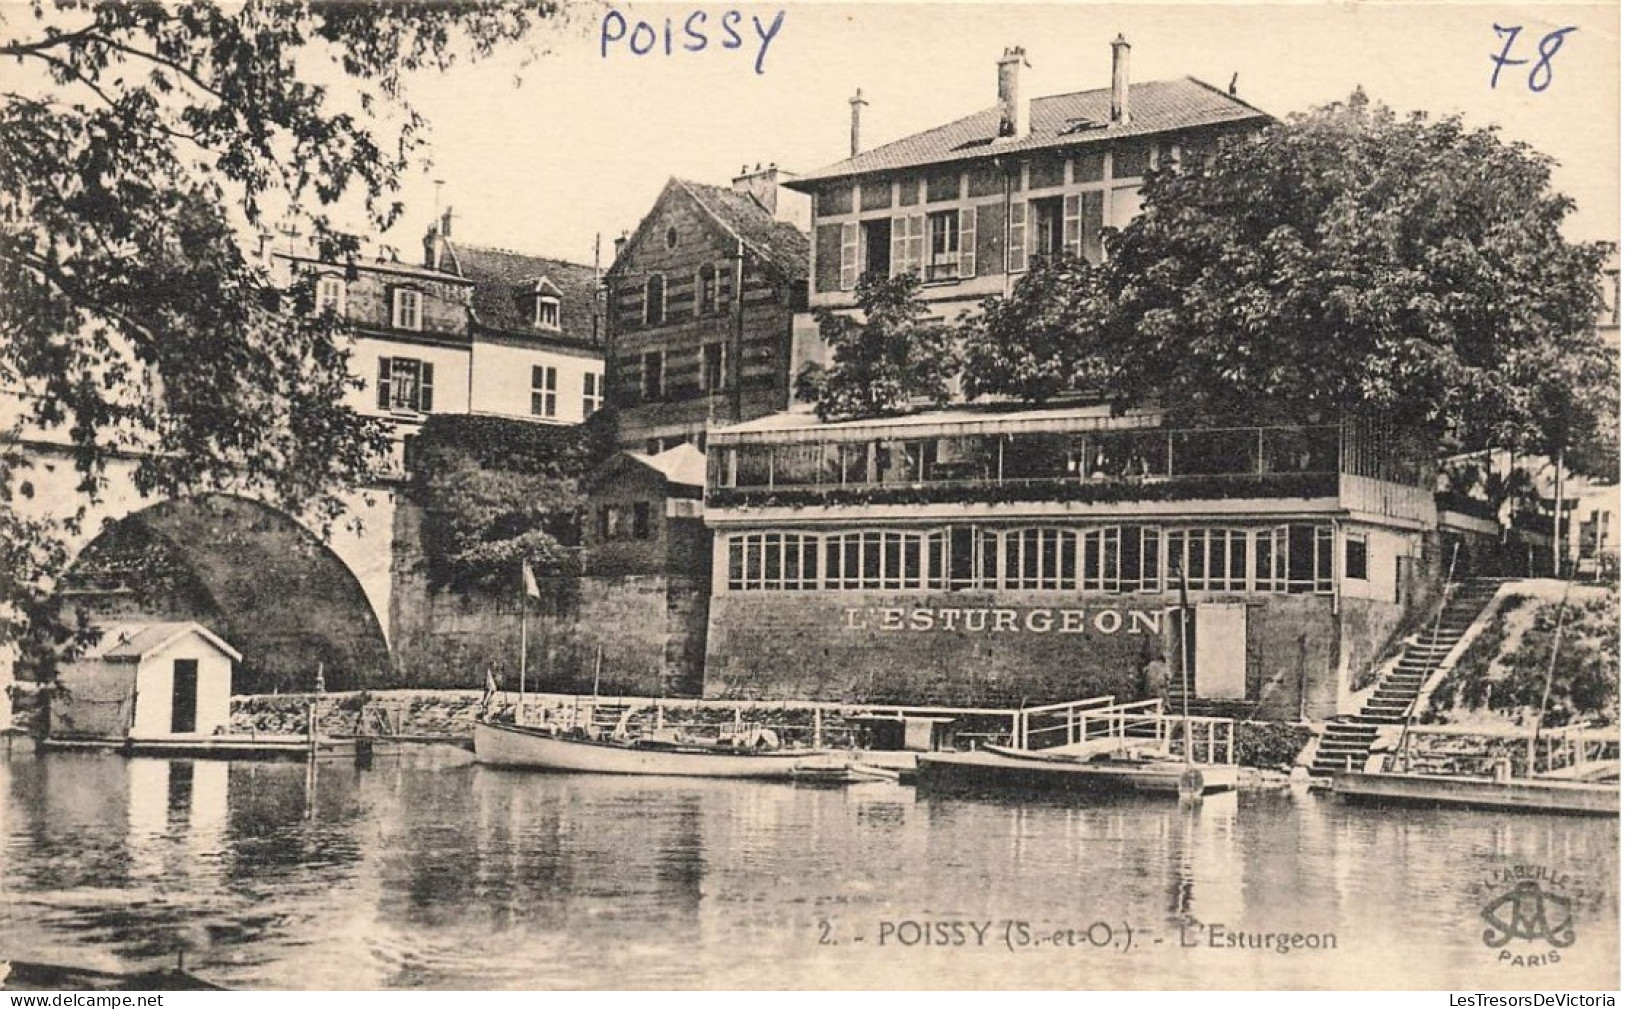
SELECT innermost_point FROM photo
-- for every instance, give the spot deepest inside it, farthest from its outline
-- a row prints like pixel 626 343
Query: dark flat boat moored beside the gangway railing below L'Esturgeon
pixel 1033 773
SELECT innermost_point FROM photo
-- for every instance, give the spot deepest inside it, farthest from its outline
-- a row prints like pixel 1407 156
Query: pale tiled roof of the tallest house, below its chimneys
pixel 1055 123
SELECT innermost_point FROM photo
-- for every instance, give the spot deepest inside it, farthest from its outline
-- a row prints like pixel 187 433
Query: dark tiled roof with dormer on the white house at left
pixel 505 280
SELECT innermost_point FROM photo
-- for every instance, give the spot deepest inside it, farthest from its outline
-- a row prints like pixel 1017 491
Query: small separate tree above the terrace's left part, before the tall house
pixel 898 355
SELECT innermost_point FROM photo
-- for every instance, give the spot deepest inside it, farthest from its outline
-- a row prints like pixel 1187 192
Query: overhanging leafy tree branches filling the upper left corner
pixel 141 145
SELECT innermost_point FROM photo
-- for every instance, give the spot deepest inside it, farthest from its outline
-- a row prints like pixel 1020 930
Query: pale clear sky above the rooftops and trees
pixel 583 144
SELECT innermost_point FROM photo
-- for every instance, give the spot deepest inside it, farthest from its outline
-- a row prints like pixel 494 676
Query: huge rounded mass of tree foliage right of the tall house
pixel 1346 261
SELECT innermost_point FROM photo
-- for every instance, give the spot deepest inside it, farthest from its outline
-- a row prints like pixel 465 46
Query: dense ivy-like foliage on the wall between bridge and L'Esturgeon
pixel 500 495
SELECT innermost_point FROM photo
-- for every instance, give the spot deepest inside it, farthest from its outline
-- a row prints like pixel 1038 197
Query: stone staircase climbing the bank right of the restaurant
pixel 1348 740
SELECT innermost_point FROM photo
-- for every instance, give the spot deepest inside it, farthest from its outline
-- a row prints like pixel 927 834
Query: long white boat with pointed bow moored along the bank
pixel 542 750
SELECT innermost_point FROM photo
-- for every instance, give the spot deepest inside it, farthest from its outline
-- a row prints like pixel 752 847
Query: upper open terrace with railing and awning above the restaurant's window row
pixel 1060 456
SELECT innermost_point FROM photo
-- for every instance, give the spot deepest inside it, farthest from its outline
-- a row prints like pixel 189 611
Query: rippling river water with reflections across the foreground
pixel 436 873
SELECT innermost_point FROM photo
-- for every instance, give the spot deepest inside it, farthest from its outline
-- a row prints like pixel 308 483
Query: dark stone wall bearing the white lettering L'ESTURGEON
pixel 1000 649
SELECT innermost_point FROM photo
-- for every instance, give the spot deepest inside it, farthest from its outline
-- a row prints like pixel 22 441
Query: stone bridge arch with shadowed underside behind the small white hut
pixel 258 576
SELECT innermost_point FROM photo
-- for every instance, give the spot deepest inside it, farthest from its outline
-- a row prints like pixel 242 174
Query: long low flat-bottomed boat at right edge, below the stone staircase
pixel 1525 795
